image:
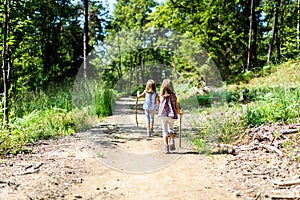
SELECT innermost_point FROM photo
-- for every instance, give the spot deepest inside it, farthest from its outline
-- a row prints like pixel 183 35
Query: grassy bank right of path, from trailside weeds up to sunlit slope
pixel 263 100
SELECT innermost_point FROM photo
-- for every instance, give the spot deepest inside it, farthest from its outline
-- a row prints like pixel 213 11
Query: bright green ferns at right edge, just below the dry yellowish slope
pixel 266 105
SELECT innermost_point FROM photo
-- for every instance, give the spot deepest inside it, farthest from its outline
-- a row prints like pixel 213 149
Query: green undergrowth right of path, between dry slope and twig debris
pixel 261 105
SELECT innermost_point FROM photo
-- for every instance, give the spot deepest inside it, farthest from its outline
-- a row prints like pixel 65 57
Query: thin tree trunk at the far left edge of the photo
pixel 5 62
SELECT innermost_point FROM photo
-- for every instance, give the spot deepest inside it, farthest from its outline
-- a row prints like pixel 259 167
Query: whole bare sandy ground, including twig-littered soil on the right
pixel 114 160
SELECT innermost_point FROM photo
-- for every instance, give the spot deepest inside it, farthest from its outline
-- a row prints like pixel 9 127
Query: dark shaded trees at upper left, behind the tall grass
pixel 42 42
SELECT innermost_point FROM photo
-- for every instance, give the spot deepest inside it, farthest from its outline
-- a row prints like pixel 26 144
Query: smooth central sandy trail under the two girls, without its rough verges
pixel 127 165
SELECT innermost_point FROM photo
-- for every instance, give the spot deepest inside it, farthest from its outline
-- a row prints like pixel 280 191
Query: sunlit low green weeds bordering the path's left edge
pixel 40 125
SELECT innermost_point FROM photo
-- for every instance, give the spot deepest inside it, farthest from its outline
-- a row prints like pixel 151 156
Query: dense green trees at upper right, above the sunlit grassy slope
pixel 237 34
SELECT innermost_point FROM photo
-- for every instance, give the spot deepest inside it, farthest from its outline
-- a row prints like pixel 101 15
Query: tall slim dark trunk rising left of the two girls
pixel 85 37
